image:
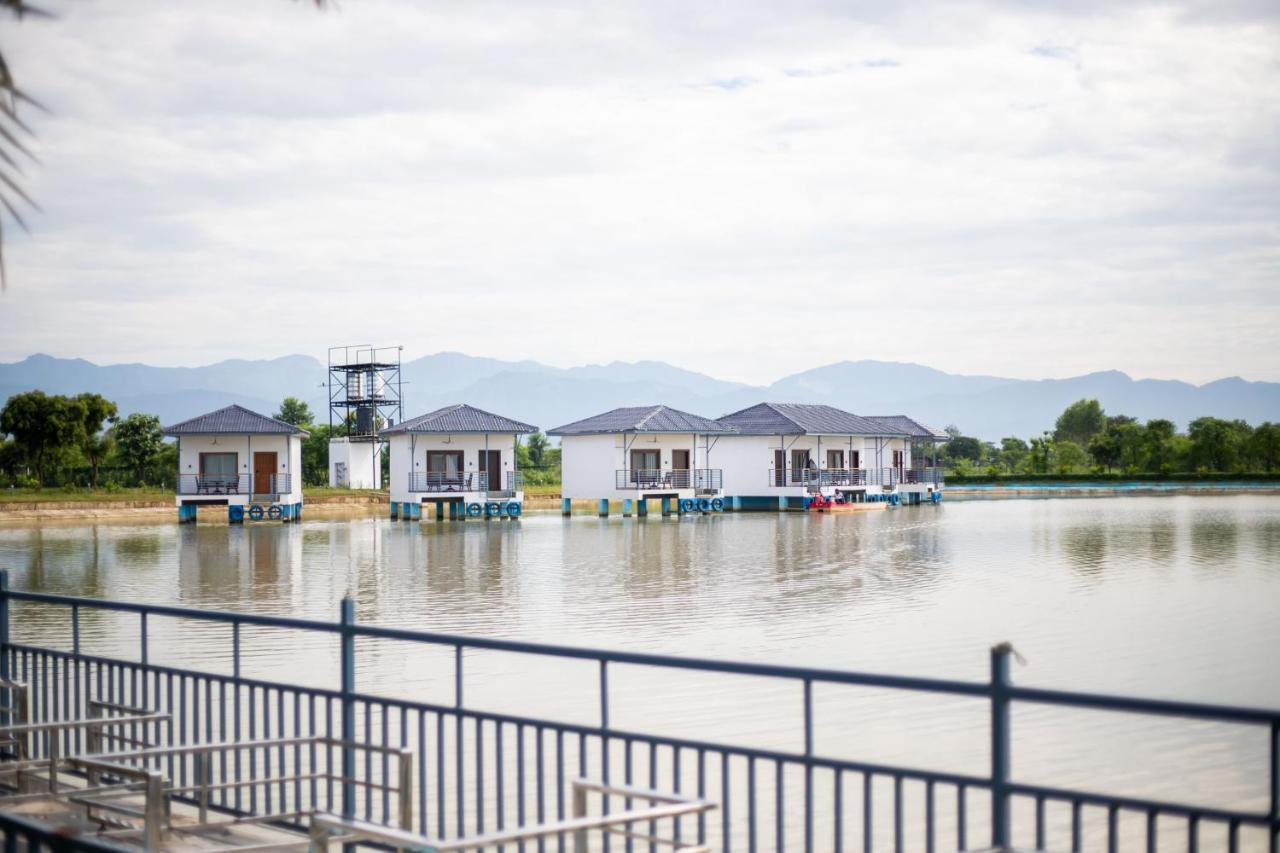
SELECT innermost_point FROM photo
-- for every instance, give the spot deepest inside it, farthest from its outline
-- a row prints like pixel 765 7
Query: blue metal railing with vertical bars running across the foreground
pixel 481 770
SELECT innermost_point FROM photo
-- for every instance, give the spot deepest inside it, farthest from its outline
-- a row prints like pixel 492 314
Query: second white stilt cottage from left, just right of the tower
pixel 460 459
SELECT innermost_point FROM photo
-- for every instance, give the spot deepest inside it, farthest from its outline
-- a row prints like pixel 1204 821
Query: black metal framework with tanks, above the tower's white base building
pixel 365 390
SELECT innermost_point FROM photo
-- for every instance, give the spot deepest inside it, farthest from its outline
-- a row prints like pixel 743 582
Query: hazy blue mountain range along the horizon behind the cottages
pixel 985 407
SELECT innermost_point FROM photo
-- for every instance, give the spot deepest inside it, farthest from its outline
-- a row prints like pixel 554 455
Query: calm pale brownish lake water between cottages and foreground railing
pixel 1154 596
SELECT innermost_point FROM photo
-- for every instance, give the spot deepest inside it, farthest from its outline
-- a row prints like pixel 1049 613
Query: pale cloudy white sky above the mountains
pixel 742 189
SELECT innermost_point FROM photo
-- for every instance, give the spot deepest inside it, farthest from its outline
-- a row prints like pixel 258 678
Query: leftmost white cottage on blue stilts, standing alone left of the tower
pixel 243 460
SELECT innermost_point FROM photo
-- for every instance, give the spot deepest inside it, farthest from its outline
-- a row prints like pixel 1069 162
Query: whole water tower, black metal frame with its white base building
pixel 364 400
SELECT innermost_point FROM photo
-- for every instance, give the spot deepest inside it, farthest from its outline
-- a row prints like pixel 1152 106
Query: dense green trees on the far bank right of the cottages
pixel 1086 440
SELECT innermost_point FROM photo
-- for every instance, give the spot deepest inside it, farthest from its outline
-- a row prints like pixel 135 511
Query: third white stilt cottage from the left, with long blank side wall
pixel 641 454
